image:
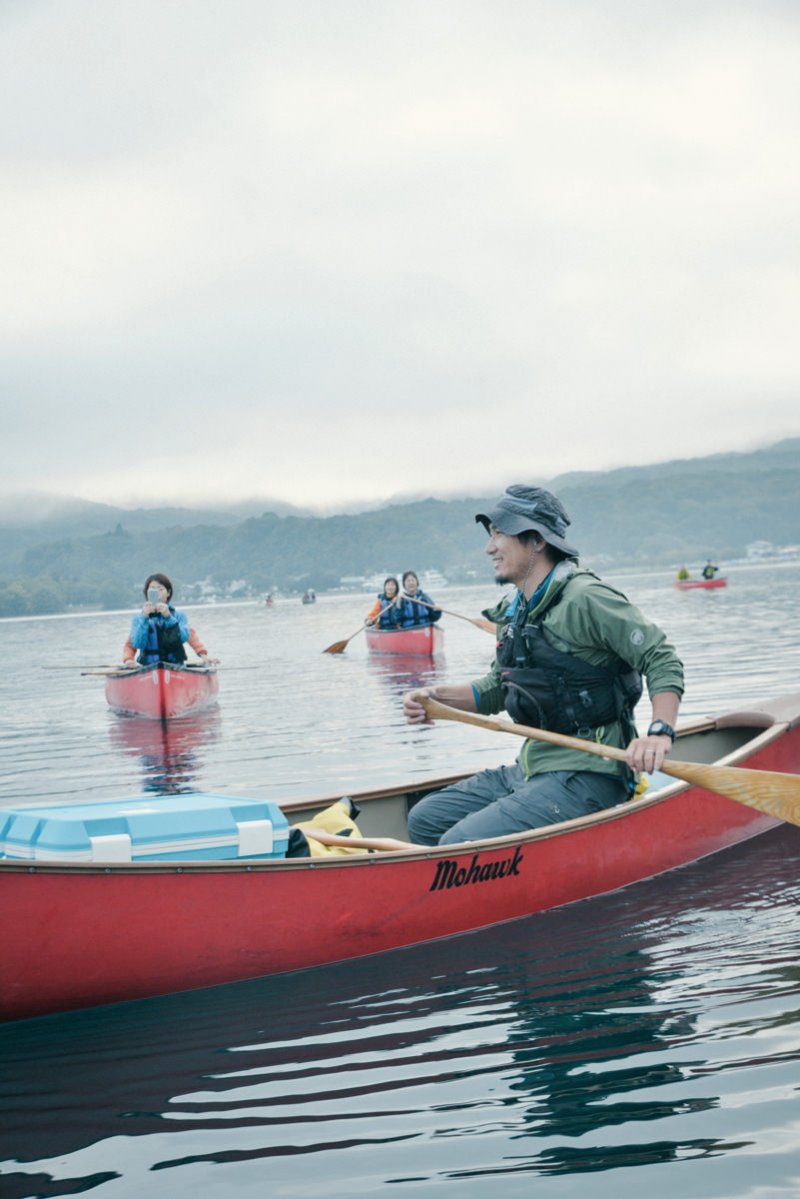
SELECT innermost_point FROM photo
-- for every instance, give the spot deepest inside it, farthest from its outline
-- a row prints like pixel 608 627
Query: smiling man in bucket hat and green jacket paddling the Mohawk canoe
pixel 572 654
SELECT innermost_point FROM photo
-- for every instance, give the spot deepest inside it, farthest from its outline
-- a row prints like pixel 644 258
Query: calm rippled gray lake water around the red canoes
pixel 643 1043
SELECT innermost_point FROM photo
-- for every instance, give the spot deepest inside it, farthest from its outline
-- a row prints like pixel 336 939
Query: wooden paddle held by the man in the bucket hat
pixel 777 794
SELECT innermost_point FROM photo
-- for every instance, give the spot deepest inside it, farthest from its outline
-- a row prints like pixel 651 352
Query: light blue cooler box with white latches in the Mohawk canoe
pixel 146 829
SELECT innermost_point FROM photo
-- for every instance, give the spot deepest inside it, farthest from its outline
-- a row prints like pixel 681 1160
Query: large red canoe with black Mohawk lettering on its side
pixel 80 935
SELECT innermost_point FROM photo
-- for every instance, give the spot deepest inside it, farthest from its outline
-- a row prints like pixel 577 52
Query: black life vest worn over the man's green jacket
pixel 560 691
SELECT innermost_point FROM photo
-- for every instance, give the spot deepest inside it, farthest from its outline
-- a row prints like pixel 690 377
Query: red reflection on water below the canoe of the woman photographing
pixel 169 749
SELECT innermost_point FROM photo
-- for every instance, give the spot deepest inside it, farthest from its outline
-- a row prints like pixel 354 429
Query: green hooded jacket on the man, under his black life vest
pixel 598 624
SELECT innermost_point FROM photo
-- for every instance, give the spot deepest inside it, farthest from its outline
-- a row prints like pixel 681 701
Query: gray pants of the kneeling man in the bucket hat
pixel 498 803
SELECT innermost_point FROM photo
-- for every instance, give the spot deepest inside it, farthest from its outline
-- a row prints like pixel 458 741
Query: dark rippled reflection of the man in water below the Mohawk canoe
pixel 593 1070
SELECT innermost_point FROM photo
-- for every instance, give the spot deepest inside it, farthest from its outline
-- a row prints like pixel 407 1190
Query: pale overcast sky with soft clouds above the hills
pixel 340 250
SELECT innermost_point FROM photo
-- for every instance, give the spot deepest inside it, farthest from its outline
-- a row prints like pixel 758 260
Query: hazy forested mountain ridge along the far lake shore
pixel 660 515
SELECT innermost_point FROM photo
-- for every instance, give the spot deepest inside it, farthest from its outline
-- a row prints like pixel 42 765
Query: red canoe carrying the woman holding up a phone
pixel 163 691
